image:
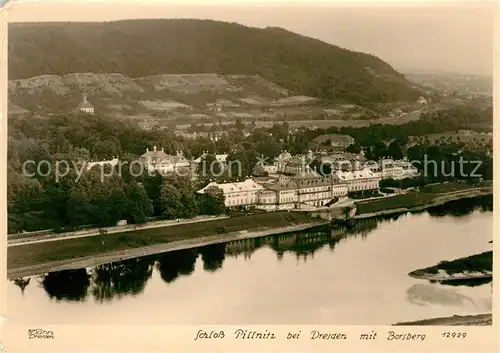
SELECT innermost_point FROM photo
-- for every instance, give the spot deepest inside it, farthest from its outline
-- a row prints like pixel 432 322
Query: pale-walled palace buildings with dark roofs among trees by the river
pixel 290 182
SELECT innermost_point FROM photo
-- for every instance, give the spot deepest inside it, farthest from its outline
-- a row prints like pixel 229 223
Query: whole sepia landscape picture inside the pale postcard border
pixel 280 164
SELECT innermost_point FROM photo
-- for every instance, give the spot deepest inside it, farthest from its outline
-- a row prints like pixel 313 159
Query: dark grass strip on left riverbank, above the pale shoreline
pixel 72 249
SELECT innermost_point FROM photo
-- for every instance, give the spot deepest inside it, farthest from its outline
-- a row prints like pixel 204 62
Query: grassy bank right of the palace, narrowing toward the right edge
pixel 417 200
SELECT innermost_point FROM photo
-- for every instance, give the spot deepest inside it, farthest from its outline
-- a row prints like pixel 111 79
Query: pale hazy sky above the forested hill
pixel 451 37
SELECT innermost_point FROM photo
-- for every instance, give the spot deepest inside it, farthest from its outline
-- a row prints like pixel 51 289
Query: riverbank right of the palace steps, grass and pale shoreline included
pixel 414 202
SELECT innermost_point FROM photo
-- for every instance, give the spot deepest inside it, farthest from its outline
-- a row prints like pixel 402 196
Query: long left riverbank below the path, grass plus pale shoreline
pixel 28 260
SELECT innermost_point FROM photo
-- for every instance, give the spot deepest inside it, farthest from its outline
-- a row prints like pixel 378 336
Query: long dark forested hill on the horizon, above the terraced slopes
pixel 139 48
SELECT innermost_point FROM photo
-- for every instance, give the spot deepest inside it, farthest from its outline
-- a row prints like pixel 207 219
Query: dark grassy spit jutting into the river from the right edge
pixel 476 266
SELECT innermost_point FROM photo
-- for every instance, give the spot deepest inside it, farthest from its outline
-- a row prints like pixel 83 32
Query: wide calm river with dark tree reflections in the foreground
pixel 338 276
